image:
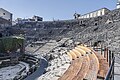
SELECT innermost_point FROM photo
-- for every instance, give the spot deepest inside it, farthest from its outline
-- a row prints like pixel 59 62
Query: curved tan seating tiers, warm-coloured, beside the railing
pixel 85 64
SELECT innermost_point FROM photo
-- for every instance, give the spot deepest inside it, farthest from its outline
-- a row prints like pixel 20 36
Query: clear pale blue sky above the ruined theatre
pixel 57 9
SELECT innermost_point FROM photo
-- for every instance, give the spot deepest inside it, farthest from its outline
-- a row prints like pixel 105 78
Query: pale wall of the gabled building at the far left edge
pixel 5 14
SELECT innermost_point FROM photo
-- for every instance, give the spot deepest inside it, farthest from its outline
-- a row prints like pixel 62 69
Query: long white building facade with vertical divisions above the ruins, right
pixel 96 13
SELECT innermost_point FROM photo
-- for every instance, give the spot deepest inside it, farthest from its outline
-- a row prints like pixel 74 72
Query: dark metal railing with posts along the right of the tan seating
pixel 109 55
